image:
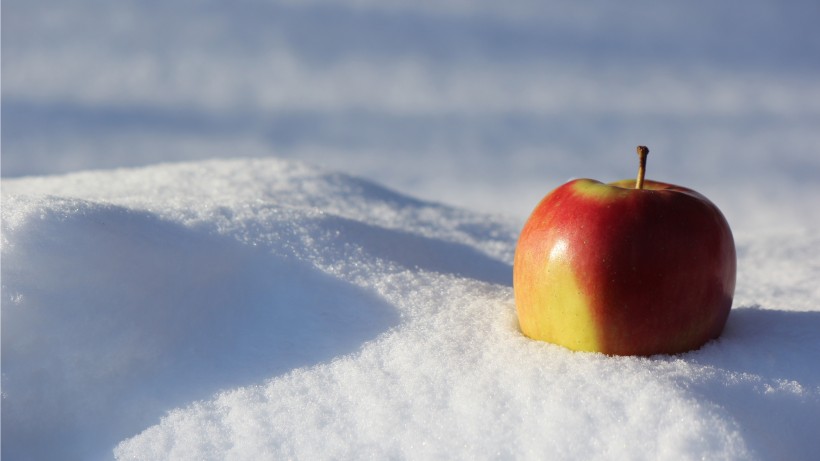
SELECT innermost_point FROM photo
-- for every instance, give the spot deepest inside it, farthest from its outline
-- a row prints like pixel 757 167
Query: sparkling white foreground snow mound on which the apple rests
pixel 251 309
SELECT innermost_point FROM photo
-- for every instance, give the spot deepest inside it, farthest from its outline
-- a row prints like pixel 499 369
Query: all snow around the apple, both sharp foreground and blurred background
pixel 284 230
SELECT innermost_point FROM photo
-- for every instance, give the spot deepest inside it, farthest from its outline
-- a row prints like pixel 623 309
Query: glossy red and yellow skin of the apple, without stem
pixel 624 271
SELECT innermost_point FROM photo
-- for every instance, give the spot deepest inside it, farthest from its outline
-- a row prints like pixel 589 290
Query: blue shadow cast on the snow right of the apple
pixel 766 377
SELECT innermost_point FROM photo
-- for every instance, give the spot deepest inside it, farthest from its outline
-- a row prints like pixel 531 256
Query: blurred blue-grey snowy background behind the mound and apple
pixel 483 104
